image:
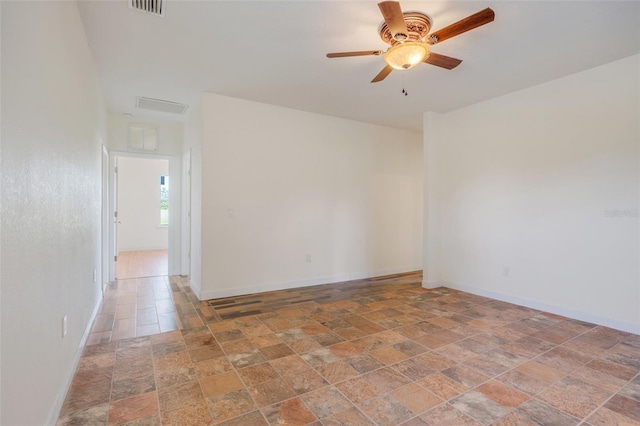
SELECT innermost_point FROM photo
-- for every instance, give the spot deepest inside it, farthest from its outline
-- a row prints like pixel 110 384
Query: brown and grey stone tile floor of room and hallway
pixel 390 353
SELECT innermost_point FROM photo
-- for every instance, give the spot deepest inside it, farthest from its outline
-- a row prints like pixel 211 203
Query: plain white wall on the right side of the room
pixel 526 181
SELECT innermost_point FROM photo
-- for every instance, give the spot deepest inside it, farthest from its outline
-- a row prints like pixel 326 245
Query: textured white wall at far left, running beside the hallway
pixel 53 120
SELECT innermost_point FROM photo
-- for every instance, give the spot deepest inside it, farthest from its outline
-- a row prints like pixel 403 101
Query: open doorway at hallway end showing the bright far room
pixel 142 222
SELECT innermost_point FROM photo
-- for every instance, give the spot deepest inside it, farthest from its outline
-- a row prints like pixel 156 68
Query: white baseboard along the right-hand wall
pixel 626 326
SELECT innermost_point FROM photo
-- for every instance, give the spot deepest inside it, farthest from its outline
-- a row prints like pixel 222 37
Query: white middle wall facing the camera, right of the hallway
pixel 347 194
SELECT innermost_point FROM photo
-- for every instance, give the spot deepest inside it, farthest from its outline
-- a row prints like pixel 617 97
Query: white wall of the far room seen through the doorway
pixel 139 204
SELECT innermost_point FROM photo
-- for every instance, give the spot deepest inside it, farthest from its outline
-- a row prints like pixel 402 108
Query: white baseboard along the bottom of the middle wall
pixel 231 292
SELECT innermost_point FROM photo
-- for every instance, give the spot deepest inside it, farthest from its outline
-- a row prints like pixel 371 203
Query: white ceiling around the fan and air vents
pixel 274 52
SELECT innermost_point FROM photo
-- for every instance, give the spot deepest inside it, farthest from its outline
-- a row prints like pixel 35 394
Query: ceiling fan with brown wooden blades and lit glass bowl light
pixel 408 36
